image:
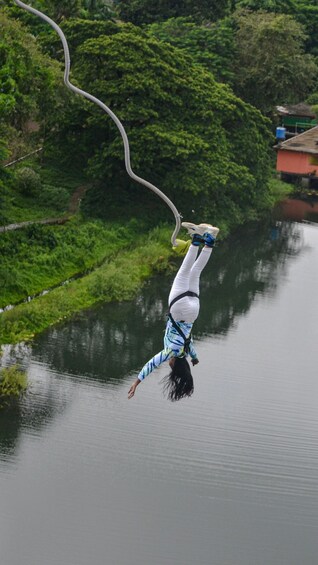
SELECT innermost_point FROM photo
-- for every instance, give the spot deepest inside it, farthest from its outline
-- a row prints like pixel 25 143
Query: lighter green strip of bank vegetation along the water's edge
pixel 117 279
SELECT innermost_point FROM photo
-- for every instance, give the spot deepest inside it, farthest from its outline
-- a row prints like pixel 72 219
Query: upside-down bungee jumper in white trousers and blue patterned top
pixel 184 308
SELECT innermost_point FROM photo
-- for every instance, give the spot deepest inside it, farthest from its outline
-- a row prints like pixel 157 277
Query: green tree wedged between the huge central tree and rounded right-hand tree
pixel 211 45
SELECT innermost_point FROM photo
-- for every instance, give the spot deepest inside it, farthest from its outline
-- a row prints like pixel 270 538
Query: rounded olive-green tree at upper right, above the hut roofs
pixel 271 66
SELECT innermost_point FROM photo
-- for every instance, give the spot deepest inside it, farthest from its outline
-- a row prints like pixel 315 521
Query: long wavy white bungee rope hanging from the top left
pixel 109 112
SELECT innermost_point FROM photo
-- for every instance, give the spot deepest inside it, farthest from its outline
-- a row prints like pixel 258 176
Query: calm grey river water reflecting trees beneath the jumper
pixel 228 477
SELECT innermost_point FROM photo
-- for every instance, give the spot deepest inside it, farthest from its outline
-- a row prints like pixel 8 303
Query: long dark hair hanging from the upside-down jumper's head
pixel 179 382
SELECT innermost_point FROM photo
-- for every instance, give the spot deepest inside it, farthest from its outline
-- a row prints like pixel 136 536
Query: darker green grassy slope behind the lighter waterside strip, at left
pixel 39 257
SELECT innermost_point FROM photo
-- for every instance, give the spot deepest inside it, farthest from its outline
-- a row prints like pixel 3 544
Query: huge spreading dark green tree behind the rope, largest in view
pixel 188 134
